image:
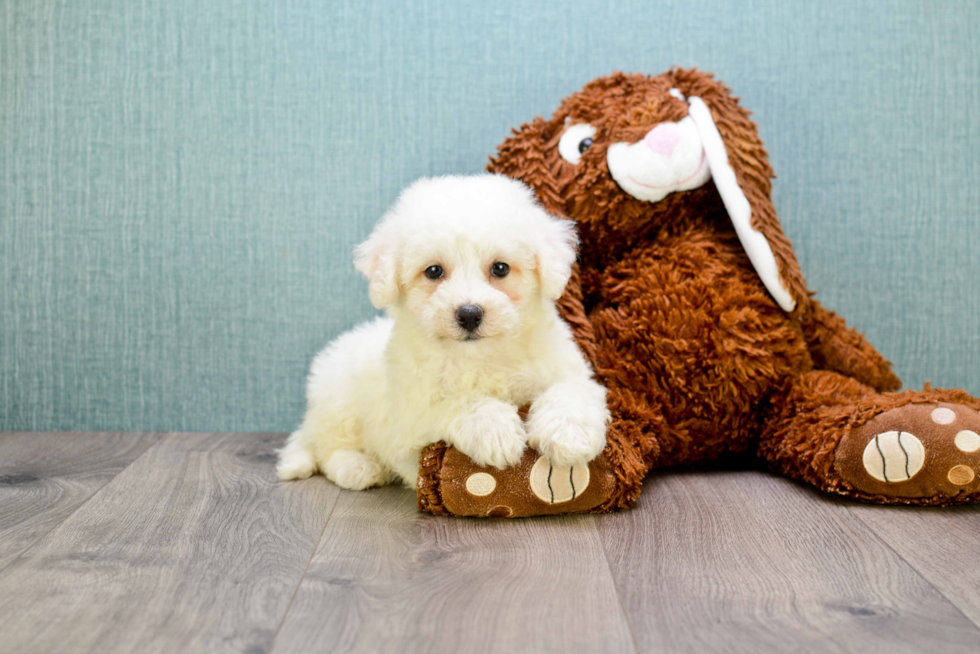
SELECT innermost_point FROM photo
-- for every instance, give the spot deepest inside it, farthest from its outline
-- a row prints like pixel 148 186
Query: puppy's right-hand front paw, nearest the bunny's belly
pixel 567 423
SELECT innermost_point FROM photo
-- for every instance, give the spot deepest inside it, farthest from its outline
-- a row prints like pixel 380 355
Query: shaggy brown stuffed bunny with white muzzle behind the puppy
pixel 689 302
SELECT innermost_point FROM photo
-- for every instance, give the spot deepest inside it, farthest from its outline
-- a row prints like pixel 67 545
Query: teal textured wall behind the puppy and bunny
pixel 181 183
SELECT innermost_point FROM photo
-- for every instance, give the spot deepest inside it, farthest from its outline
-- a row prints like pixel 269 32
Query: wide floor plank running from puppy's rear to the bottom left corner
pixel 195 547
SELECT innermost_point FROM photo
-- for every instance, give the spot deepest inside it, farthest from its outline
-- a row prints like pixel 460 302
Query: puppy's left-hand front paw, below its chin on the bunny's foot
pixel 491 435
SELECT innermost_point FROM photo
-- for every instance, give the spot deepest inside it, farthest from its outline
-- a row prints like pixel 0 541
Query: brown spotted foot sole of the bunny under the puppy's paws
pixel 532 487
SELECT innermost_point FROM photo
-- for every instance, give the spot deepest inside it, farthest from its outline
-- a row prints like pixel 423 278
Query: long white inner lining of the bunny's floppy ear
pixel 738 207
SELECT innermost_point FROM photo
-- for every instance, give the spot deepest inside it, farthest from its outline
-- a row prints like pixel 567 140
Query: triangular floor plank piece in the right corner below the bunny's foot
pixel 942 545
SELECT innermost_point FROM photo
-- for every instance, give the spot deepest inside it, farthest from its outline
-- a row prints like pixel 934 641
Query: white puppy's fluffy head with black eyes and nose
pixel 467 258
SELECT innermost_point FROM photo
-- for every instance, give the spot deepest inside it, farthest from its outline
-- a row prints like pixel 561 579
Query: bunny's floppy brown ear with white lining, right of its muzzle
pixel 740 169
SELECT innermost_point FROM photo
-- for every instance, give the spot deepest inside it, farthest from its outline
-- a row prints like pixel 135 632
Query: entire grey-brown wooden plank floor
pixel 187 543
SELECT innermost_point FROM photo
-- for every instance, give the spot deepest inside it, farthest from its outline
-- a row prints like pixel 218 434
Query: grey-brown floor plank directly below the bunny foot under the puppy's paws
pixel 388 579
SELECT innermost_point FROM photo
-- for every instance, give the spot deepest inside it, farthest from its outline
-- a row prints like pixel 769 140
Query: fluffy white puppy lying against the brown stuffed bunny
pixel 469 269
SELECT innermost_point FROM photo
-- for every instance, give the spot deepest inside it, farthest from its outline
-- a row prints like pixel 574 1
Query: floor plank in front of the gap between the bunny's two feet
pixel 746 562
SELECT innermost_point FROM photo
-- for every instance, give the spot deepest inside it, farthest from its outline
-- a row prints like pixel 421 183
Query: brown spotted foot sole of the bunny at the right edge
pixel 914 451
